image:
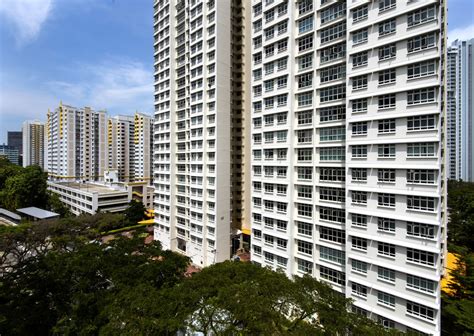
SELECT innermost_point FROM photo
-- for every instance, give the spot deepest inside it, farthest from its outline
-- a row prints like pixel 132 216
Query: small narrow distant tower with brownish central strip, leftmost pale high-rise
pixel 33 143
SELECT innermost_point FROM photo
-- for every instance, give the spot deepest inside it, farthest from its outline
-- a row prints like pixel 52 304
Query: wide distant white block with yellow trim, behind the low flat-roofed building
pixel 76 143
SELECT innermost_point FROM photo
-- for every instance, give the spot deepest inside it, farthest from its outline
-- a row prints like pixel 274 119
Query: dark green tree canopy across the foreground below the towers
pixel 63 279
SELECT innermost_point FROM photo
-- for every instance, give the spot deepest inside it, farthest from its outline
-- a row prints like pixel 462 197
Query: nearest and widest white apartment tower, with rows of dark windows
pixel 348 179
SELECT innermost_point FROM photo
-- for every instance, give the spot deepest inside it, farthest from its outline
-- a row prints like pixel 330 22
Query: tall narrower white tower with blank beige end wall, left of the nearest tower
pixel 199 139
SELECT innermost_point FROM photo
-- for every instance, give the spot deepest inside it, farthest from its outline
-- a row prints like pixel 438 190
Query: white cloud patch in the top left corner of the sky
pixel 26 16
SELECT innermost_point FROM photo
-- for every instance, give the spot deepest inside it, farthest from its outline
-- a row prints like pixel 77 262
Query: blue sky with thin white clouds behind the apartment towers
pixel 96 53
